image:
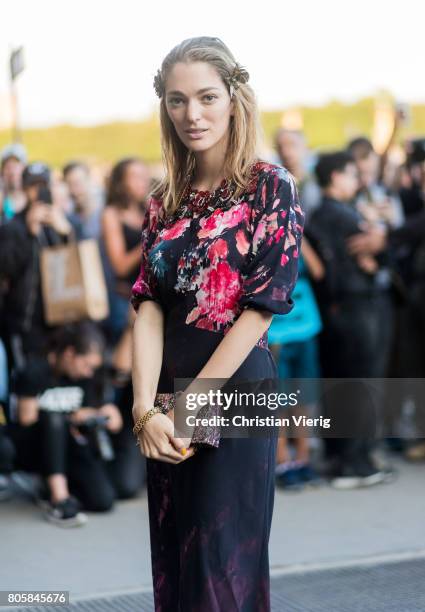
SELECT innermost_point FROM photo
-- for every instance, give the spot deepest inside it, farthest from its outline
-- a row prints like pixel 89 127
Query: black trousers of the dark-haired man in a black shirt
pixel 356 343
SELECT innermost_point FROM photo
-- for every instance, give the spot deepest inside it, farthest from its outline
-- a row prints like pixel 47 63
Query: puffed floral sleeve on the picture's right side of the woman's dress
pixel 277 227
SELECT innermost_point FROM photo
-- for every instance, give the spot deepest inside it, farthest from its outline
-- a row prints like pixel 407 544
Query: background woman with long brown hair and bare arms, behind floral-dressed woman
pixel 121 228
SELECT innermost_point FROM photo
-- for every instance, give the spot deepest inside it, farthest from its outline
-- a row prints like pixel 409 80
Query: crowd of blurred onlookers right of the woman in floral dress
pixel 359 307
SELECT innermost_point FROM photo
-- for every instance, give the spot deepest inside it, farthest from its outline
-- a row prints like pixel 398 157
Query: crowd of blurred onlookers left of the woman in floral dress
pixel 66 390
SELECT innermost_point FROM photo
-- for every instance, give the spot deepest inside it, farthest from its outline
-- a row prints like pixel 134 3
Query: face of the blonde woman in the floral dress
pixel 199 105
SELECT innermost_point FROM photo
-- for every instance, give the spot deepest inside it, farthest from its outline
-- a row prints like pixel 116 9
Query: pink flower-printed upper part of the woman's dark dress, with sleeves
pixel 214 264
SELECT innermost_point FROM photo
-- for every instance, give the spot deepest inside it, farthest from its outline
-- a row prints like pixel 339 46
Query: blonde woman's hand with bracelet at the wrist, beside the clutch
pixel 157 441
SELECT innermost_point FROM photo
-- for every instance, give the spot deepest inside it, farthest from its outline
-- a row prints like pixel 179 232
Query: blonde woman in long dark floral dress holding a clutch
pixel 220 243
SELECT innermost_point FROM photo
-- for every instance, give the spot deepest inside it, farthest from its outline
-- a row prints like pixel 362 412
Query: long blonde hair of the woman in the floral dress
pixel 244 128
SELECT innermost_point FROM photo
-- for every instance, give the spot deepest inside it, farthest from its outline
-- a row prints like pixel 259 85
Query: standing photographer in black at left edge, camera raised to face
pixel 41 223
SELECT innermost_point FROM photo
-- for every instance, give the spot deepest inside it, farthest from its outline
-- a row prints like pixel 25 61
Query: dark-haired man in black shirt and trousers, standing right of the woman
pixel 356 312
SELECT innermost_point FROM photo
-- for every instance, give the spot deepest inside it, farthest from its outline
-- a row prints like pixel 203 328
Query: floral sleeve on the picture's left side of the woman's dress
pixel 145 287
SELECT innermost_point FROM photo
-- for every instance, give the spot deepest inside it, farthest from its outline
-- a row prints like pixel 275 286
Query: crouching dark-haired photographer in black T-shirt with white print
pixel 63 426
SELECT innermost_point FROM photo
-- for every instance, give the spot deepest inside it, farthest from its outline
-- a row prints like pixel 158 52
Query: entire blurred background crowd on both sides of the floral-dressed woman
pixel 65 390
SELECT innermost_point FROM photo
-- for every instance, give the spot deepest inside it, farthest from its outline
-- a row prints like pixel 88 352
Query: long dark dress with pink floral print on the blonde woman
pixel 210 516
